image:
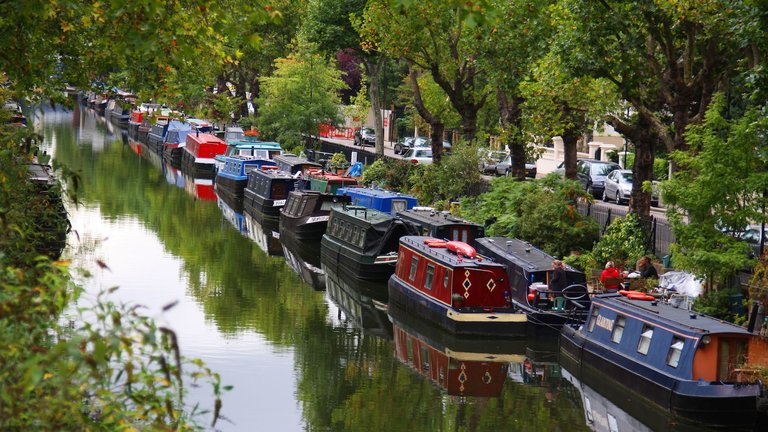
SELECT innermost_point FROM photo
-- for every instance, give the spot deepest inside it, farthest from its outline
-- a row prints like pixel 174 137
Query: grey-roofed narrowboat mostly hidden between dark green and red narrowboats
pixel 442 224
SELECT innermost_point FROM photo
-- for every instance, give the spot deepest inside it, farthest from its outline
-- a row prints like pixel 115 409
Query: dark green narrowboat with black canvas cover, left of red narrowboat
pixel 363 242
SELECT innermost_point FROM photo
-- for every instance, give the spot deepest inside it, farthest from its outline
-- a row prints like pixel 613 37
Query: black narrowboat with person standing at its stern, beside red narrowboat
pixel 528 269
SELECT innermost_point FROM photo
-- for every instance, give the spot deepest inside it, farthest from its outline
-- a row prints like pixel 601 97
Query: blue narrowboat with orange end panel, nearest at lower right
pixel 680 360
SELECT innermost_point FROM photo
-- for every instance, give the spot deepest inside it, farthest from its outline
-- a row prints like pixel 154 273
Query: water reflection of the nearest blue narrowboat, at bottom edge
pixel 608 407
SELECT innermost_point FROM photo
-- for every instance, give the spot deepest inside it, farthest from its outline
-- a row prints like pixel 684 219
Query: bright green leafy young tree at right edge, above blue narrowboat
pixel 718 190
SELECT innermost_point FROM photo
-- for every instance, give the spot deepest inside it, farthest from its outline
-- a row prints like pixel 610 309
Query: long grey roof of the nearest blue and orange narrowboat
pixel 683 319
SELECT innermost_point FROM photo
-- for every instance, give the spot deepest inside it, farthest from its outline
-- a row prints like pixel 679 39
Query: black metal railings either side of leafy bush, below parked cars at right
pixel 659 231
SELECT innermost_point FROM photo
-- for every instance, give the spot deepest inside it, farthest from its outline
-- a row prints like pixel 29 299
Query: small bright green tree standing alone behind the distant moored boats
pixel 301 94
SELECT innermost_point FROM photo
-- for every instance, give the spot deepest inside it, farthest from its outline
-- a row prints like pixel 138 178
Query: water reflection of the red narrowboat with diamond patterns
pixel 460 366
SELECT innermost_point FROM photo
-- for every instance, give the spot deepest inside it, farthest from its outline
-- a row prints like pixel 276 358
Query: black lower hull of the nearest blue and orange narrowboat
pixel 713 404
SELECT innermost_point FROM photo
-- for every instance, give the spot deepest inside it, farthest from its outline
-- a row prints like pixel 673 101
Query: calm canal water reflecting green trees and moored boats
pixel 303 349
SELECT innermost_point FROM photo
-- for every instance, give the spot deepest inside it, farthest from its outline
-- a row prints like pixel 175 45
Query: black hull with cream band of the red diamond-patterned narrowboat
pixel 499 323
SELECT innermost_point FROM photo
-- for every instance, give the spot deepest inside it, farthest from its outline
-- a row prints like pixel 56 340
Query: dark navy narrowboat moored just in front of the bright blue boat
pixel 266 192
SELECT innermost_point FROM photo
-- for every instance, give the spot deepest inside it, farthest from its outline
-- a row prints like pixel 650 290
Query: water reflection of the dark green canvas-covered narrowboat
pixel 363 303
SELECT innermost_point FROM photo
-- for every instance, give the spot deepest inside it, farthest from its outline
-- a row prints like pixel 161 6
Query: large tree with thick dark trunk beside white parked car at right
pixel 666 59
